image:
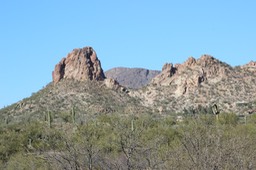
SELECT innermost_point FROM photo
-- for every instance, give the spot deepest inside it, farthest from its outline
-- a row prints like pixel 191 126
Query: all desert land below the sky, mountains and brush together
pixel 195 115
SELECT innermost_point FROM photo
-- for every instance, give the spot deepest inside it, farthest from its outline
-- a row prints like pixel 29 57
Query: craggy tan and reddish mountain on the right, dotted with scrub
pixel 197 84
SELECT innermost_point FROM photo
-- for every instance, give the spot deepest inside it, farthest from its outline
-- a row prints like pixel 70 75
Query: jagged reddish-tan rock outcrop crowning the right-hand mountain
pixel 191 73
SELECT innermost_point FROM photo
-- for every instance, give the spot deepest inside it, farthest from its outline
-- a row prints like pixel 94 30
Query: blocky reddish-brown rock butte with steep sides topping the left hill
pixel 81 64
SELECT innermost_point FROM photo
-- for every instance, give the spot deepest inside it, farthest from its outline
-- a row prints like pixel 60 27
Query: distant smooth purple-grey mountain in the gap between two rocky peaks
pixel 134 78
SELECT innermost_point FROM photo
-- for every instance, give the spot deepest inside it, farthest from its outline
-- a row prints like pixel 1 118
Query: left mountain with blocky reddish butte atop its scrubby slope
pixel 79 85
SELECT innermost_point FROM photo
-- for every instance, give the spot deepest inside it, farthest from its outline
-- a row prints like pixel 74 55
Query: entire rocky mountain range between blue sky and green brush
pixel 80 86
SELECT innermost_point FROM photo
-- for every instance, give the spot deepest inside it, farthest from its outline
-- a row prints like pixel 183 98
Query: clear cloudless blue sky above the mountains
pixel 35 35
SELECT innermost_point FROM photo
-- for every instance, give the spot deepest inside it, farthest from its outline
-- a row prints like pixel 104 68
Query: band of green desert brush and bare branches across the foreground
pixel 118 141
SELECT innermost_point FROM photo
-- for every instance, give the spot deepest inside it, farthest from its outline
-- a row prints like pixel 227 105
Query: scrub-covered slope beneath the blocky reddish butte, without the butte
pixel 85 98
